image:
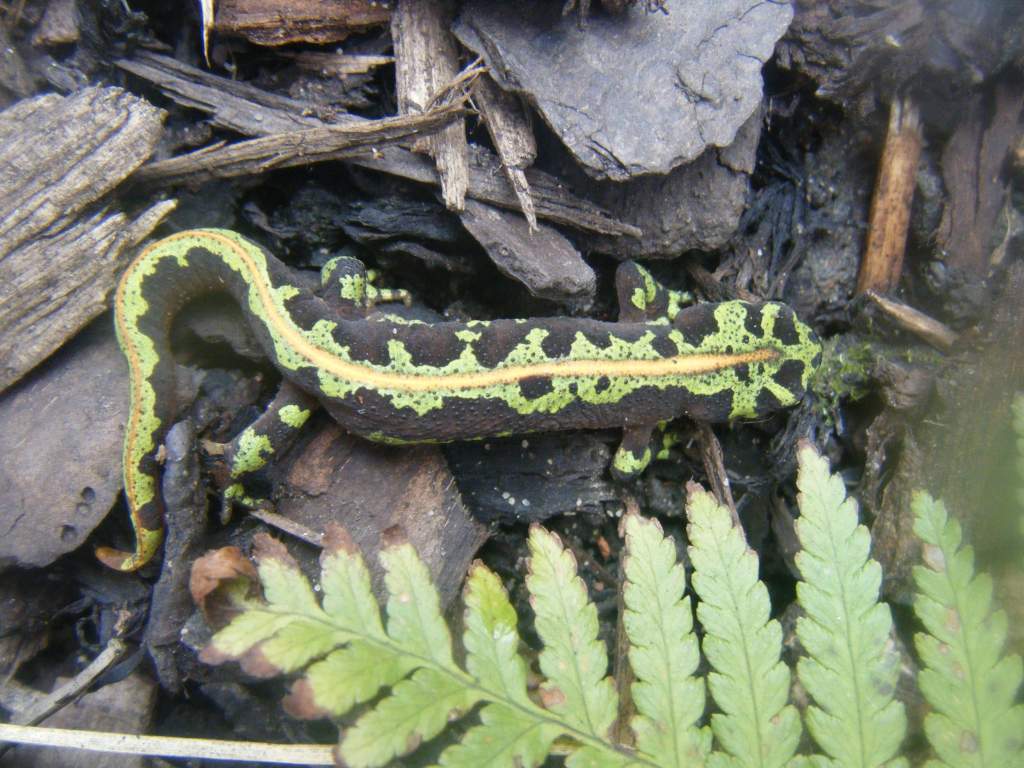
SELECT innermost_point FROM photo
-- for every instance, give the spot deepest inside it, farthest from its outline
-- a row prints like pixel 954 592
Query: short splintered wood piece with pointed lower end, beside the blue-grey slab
pixel 513 134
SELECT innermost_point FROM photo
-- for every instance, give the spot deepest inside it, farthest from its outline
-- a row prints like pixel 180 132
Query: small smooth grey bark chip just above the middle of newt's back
pixel 541 260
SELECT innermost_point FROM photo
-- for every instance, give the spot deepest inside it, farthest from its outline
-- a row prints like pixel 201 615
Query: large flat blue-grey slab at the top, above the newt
pixel 632 95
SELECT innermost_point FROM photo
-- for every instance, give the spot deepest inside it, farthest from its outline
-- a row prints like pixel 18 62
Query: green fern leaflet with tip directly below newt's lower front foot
pixel 664 652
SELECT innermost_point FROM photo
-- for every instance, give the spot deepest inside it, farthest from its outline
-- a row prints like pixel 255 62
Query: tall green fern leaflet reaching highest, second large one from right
pixel 851 668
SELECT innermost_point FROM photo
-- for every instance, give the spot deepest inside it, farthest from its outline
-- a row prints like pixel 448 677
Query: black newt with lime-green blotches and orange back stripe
pixel 394 380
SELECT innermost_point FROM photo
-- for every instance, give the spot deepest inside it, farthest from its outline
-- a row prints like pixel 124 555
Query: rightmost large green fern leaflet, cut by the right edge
pixel 969 687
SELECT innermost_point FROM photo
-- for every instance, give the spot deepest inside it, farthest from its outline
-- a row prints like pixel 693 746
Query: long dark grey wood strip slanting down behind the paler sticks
pixel 255 116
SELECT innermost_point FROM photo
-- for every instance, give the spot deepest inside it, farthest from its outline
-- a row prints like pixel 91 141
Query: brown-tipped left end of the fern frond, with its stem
pixel 412 656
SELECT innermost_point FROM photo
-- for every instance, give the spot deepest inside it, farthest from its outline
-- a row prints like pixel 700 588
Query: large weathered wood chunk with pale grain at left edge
pixel 59 251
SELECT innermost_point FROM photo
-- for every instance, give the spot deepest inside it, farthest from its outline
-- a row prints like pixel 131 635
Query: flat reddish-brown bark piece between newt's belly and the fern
pixel 335 478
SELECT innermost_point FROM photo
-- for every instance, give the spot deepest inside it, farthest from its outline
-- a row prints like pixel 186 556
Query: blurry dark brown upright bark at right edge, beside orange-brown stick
pixel 972 162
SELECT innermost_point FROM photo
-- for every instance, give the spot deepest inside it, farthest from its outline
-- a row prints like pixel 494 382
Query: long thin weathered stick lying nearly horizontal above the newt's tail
pixel 292 149
